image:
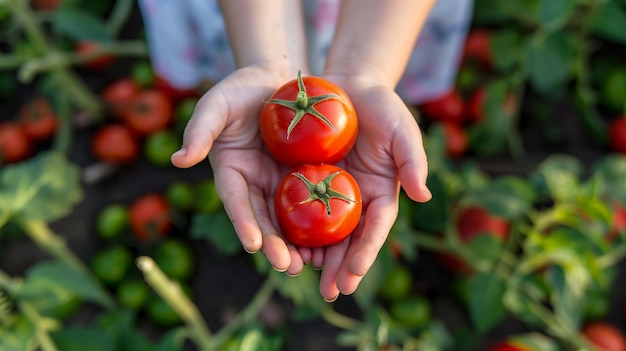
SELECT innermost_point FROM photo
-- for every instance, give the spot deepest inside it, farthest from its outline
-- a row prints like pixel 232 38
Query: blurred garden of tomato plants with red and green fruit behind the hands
pixel 104 245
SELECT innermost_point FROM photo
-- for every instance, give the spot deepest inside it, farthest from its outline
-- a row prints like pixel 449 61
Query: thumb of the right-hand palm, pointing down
pixel 411 161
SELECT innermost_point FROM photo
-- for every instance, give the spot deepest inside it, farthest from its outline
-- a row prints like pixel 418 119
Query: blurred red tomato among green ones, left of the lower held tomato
pixel 150 216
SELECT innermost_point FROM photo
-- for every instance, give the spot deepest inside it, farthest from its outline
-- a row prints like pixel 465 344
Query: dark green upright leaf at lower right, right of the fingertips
pixel 486 292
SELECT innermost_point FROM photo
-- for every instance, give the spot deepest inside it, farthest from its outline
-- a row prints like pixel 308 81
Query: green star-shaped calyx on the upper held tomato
pixel 305 104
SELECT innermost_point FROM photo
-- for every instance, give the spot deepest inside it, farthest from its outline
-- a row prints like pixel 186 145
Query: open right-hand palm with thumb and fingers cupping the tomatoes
pixel 388 153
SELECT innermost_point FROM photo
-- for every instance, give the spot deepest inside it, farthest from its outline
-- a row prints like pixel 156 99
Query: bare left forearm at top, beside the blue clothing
pixel 268 33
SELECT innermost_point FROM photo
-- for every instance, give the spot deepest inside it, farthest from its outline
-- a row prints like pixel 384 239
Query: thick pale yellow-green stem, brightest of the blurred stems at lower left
pixel 174 296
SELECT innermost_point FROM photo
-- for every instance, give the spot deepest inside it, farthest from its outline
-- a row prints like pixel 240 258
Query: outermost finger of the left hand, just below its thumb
pixel 233 190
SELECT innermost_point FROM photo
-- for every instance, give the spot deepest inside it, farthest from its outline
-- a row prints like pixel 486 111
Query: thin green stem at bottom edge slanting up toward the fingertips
pixel 248 314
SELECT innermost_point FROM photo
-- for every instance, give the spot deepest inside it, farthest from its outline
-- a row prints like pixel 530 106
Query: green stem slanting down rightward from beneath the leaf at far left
pixel 47 240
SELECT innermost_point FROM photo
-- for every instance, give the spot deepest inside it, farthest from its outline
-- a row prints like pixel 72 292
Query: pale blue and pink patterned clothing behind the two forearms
pixel 188 43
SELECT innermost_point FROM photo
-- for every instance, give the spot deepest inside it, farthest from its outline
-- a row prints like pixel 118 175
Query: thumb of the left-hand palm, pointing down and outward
pixel 207 122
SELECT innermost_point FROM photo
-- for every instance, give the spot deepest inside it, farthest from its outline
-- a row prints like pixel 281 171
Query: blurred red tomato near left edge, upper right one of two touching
pixel 38 120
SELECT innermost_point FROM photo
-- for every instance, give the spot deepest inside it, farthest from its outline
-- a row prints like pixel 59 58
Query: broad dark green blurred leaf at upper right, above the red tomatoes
pixel 550 59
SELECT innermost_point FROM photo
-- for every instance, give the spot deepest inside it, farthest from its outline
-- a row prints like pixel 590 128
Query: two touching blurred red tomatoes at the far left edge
pixel 37 122
